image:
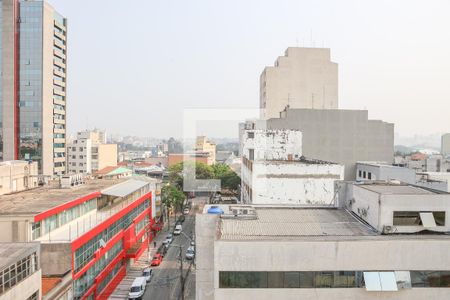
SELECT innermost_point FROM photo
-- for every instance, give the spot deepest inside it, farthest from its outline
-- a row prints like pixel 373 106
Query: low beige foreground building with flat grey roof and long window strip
pixel 279 252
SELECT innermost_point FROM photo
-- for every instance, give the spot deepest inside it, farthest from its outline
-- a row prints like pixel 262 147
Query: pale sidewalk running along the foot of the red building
pixel 135 270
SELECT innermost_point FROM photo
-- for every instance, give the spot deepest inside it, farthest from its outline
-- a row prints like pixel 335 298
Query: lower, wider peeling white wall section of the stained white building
pixel 294 182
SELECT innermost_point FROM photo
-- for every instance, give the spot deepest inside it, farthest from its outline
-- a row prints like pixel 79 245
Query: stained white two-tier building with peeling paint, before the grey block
pixel 275 172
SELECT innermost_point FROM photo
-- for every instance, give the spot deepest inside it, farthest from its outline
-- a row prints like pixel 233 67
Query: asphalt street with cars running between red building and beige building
pixel 165 283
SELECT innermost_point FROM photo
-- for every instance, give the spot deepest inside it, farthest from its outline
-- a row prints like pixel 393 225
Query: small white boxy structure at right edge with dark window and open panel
pixel 393 207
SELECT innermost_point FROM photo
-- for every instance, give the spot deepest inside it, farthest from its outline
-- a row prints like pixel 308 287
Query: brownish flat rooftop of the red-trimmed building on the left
pixel 35 201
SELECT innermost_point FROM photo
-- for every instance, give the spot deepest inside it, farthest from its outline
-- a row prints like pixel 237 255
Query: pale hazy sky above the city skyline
pixel 134 65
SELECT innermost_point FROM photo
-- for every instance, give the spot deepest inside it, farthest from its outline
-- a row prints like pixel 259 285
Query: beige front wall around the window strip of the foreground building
pixel 310 255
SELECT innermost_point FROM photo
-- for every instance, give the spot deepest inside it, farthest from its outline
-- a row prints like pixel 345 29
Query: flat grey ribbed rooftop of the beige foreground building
pixel 290 222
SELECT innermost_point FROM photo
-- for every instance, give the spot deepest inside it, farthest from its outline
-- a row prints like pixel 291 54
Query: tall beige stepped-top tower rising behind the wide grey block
pixel 302 78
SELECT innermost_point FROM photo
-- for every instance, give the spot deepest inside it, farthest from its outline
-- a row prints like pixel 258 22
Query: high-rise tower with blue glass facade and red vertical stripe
pixel 33 84
